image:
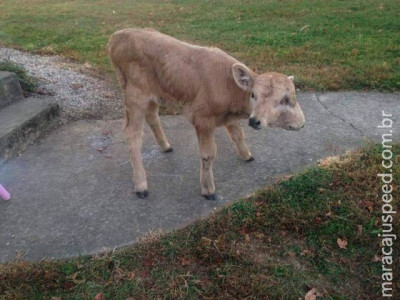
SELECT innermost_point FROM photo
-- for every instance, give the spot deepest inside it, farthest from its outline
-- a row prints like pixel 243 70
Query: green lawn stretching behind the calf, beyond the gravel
pixel 327 45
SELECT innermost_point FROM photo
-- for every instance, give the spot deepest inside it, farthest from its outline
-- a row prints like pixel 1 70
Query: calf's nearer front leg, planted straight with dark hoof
pixel 208 151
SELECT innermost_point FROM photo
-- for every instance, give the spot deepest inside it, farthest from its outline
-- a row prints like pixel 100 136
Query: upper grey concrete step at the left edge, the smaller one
pixel 10 89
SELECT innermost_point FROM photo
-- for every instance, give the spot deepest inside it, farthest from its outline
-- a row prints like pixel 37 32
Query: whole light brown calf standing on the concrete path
pixel 213 88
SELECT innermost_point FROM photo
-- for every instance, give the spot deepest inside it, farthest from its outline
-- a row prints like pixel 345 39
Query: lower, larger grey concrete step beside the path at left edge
pixel 22 122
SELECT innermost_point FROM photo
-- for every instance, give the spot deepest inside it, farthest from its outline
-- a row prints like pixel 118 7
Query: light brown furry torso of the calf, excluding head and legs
pixel 200 77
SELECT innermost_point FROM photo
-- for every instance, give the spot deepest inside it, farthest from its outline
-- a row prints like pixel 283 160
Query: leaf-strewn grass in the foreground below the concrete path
pixel 277 244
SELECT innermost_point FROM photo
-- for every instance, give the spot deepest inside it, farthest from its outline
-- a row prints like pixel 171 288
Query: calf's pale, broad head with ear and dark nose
pixel 273 99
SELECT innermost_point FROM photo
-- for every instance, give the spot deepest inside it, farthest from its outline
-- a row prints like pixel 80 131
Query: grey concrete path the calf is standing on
pixel 69 198
